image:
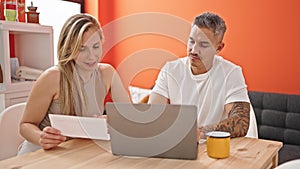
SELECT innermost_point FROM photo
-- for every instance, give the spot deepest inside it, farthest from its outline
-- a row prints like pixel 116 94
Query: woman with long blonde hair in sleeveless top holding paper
pixel 77 86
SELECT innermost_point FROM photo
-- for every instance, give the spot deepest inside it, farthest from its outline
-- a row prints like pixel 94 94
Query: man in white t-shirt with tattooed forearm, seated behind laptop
pixel 215 85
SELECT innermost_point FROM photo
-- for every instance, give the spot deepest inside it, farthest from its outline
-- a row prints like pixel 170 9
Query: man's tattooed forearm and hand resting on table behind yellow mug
pixel 236 124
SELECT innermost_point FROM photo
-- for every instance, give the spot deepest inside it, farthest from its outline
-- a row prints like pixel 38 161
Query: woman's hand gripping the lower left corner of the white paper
pixel 50 138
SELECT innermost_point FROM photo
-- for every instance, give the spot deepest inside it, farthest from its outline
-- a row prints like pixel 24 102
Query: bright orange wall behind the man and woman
pixel 262 37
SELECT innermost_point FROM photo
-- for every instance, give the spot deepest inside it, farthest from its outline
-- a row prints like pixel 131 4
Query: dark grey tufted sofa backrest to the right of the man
pixel 277 115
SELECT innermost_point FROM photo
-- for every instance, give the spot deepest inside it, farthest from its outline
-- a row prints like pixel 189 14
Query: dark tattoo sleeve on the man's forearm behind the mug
pixel 237 123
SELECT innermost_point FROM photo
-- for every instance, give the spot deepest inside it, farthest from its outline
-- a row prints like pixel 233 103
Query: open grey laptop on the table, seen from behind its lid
pixel 153 130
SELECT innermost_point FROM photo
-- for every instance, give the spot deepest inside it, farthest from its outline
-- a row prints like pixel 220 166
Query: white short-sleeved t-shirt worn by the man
pixel 210 92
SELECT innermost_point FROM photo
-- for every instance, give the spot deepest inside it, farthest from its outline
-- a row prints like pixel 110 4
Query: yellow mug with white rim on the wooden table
pixel 218 144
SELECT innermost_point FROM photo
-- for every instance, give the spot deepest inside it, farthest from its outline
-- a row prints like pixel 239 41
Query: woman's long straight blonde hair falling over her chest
pixel 72 96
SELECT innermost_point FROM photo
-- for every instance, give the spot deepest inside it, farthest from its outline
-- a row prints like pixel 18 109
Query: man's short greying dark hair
pixel 213 22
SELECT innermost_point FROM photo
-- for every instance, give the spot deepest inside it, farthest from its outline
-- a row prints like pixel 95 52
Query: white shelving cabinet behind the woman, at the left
pixel 33 47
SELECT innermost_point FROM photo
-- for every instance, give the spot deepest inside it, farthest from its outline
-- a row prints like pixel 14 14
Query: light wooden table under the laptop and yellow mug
pixel 84 153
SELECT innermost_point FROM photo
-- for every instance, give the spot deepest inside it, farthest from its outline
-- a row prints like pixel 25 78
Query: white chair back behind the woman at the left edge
pixel 10 138
